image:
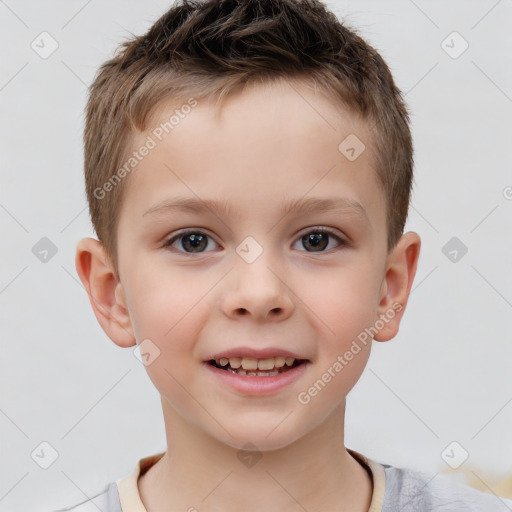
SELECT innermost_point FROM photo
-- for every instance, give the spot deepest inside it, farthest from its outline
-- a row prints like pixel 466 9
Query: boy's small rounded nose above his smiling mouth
pixel 257 290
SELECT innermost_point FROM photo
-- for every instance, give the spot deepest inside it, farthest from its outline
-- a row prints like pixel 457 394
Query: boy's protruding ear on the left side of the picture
pixel 105 291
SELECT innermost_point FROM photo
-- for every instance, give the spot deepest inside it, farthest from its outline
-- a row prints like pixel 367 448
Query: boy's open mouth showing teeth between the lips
pixel 250 367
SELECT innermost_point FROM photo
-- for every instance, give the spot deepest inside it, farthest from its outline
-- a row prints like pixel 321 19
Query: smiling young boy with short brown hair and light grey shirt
pixel 248 168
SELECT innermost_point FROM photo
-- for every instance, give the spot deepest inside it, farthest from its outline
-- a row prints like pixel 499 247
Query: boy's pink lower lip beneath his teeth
pixel 257 385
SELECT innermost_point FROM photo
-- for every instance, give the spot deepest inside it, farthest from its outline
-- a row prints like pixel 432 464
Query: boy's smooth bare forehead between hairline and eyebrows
pixel 269 144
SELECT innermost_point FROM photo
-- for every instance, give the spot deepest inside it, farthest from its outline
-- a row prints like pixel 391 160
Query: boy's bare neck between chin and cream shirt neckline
pixel 198 472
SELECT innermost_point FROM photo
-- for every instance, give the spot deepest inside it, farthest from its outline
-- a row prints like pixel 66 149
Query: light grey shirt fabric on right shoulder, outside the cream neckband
pixel 412 491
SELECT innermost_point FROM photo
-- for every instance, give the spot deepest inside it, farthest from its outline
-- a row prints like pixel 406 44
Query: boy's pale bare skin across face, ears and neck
pixel 270 145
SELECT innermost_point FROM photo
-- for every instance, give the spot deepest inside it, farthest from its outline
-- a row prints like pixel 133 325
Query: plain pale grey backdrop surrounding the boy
pixel 444 378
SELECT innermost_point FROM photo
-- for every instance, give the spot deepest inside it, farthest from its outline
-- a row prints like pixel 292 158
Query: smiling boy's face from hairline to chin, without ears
pixel 254 281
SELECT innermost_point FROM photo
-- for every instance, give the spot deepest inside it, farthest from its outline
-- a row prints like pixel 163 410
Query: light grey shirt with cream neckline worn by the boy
pixel 394 489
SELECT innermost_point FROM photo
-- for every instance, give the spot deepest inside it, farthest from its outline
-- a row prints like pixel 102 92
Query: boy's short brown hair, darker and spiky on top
pixel 210 48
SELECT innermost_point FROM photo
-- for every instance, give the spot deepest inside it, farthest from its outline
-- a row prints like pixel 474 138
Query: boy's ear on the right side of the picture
pixel 401 265
